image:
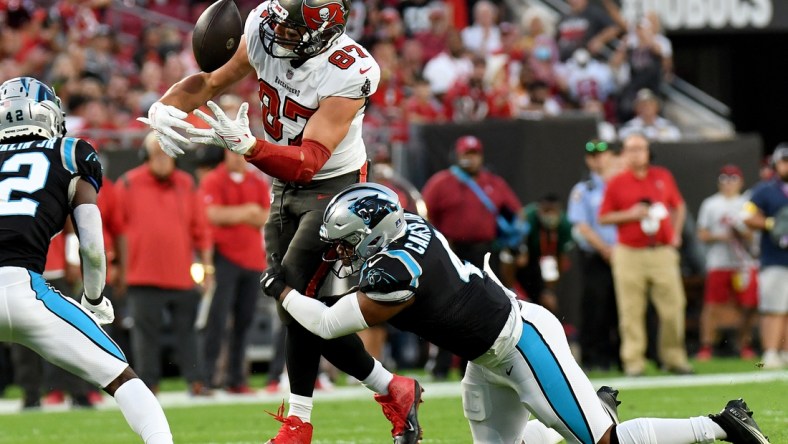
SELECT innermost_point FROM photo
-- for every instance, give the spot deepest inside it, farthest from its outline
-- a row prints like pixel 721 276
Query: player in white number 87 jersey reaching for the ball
pixel 314 85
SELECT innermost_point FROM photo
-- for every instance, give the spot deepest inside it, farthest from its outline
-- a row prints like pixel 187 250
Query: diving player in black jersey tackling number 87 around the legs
pixel 520 362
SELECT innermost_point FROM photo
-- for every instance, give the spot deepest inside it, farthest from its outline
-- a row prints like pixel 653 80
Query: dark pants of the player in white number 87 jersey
pixel 293 228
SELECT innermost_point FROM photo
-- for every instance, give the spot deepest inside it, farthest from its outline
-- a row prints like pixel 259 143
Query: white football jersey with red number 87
pixel 291 95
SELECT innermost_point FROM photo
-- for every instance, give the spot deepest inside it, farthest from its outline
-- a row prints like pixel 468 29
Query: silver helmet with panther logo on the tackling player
pixel 364 218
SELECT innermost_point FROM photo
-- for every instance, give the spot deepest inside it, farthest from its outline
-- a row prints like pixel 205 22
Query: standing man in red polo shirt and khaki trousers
pixel 646 206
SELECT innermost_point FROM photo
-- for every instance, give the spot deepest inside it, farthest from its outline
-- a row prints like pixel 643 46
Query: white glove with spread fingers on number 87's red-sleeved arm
pixel 234 135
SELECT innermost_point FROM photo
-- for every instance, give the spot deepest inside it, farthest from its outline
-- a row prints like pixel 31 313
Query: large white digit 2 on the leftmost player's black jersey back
pixel 35 180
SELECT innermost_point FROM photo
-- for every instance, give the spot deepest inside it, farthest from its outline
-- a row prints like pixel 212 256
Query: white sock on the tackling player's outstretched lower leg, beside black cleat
pixel 669 431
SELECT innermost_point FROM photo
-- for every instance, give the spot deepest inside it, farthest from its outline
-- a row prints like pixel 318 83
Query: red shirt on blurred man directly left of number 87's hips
pixel 242 244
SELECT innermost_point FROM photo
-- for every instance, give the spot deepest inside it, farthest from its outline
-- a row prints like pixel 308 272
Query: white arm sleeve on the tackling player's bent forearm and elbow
pixel 342 318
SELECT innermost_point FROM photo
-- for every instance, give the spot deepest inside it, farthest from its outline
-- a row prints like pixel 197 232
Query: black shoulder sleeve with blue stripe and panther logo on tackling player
pixel 391 276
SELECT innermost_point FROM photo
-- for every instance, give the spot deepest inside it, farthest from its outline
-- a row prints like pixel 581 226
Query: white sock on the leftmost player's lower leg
pixel 143 412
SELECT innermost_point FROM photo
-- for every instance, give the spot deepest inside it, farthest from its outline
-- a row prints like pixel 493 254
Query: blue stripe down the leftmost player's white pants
pixel 66 310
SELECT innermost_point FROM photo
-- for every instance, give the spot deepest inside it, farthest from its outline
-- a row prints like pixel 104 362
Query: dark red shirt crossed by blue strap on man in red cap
pixel 456 211
